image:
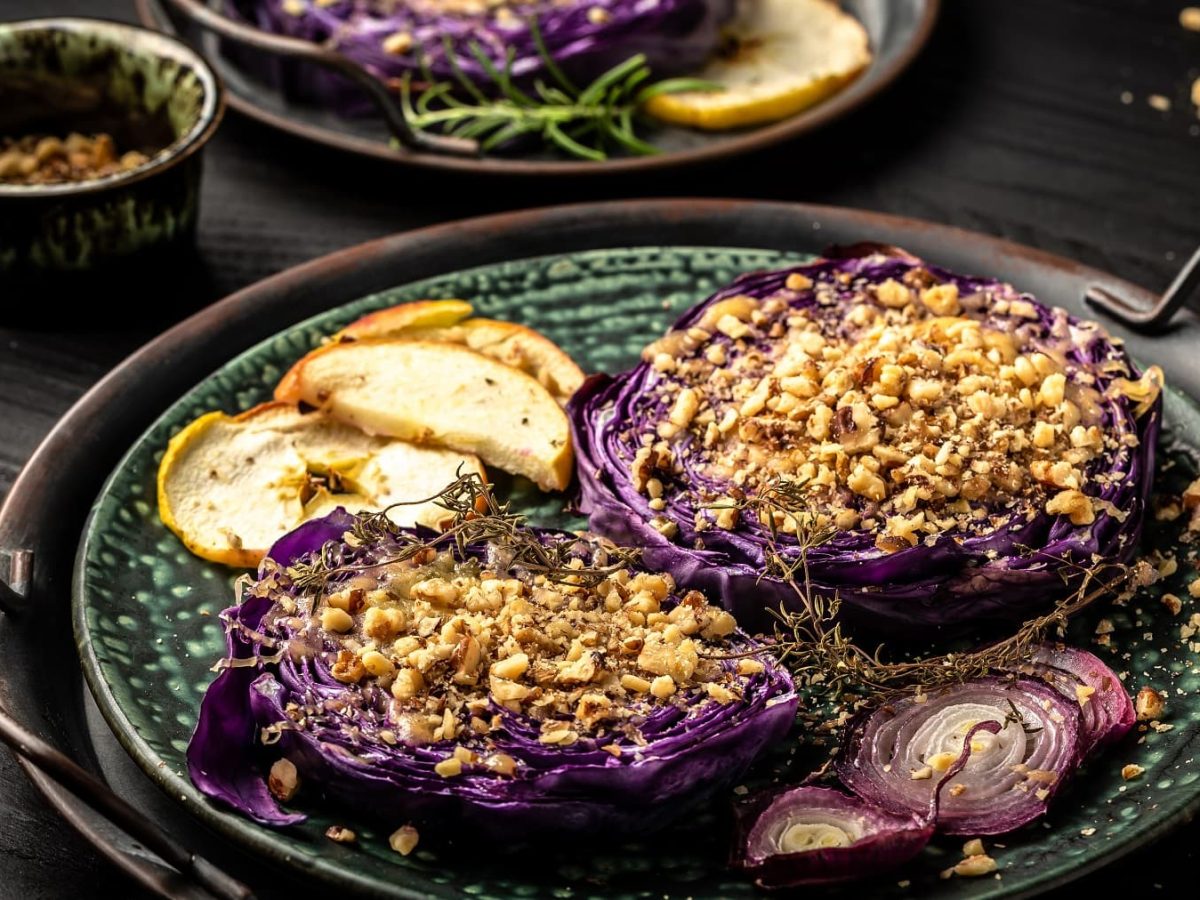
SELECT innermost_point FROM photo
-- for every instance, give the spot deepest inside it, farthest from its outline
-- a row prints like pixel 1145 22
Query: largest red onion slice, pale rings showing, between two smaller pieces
pixel 898 755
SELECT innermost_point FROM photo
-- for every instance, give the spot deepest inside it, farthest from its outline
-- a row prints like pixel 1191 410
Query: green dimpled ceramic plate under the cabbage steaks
pixel 148 633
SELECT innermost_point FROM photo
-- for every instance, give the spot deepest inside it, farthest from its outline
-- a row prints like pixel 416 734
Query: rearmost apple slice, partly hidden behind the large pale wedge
pixel 511 344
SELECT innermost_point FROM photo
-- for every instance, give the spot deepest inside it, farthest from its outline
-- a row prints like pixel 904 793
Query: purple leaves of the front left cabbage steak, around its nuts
pixel 349 749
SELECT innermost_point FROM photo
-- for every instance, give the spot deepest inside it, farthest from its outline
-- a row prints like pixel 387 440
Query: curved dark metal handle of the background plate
pixel 309 52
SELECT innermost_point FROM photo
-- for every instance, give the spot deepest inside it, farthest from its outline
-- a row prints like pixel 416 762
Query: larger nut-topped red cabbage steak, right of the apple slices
pixel 1004 569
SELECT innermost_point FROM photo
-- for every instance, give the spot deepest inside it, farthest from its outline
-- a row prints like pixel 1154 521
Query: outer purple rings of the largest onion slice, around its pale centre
pixel 861 763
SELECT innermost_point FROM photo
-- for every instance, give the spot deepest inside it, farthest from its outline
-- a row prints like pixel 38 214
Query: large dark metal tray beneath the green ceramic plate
pixel 50 501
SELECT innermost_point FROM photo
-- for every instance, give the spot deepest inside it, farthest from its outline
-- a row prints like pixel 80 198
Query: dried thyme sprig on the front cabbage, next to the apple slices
pixel 477 518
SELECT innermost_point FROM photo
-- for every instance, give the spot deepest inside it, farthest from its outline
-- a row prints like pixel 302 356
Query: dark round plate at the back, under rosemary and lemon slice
pixel 898 31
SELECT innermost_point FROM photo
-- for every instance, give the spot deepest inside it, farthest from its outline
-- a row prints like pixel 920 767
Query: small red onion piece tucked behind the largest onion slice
pixel 1107 711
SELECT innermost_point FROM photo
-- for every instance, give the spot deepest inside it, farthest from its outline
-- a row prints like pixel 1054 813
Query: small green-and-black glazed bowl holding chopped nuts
pixel 148 92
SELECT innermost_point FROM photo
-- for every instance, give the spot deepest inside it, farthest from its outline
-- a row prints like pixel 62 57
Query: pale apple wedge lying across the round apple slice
pixel 440 394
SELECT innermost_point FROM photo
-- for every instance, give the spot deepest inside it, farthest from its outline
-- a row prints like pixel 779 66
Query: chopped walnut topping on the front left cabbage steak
pixel 441 649
